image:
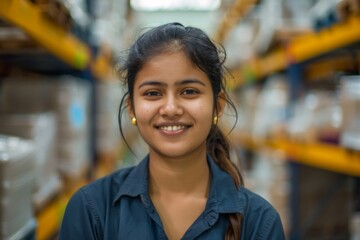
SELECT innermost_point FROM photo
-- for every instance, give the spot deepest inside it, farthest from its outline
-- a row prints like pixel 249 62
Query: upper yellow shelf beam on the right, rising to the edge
pixel 302 48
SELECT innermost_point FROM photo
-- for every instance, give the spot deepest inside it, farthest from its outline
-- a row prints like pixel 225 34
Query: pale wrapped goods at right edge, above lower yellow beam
pixel 350 106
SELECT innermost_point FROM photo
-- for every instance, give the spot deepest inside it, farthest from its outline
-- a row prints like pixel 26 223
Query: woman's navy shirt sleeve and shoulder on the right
pixel 261 220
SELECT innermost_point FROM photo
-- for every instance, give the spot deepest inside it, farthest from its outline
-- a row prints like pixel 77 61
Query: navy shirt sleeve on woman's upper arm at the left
pixel 81 220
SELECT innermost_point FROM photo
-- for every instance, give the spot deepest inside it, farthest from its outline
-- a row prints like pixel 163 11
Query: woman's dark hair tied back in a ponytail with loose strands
pixel 210 59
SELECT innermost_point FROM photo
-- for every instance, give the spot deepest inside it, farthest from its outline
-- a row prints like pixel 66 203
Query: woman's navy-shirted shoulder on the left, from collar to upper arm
pixel 87 210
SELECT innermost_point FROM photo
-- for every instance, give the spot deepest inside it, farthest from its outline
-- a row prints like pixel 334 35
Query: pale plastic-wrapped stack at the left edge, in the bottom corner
pixel 17 175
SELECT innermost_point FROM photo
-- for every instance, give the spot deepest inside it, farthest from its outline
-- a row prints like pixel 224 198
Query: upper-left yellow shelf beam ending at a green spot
pixel 47 33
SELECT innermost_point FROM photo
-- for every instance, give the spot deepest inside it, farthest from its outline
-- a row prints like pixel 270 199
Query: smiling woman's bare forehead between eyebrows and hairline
pixel 170 66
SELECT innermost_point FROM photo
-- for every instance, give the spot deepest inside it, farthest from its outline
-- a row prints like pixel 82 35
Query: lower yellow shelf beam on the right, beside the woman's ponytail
pixel 319 155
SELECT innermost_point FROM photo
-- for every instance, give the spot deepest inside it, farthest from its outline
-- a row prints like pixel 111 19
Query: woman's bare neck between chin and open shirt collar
pixel 179 176
